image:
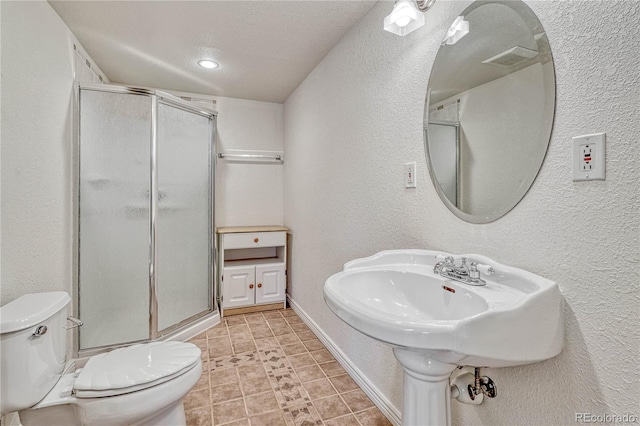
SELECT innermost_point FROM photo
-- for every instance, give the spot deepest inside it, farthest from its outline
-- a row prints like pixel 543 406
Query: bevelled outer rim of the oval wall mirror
pixel 532 21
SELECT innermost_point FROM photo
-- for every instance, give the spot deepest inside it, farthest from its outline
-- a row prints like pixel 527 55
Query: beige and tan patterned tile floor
pixel 268 368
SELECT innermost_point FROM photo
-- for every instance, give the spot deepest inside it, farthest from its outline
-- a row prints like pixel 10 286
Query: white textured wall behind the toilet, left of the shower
pixel 37 94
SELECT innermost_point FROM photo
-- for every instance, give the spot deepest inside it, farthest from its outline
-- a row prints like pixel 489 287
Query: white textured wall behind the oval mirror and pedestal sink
pixel 355 121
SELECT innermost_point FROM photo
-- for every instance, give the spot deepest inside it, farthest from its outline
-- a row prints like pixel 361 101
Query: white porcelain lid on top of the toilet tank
pixel 31 309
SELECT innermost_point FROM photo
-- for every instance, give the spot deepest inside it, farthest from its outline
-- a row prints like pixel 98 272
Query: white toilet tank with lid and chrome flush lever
pixel 31 364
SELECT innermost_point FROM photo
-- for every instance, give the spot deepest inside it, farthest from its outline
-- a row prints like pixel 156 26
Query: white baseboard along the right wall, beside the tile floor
pixel 388 409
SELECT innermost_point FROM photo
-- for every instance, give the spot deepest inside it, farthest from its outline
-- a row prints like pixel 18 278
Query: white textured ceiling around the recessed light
pixel 265 48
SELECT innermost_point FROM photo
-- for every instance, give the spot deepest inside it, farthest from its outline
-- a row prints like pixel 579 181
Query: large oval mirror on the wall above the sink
pixel 489 109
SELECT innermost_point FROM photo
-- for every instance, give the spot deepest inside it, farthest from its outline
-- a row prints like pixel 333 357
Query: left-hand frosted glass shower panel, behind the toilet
pixel 113 262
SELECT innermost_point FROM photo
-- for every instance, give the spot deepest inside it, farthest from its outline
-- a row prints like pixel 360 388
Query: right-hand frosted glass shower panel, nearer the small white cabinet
pixel 183 226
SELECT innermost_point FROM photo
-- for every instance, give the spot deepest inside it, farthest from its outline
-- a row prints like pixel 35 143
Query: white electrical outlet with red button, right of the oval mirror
pixel 589 157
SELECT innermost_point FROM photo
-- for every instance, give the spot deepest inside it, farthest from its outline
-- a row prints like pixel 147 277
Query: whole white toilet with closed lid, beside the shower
pixel 141 384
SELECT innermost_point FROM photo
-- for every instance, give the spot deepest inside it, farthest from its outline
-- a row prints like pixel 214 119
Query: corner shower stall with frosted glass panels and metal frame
pixel 144 194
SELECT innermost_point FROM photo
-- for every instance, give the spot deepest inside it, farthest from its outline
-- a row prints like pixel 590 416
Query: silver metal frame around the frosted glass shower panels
pixel 156 97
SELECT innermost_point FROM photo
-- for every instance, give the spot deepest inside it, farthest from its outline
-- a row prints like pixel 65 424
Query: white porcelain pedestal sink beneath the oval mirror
pixel 435 324
